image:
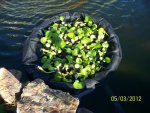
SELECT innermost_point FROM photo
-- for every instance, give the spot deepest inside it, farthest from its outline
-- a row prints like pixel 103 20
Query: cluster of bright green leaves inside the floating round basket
pixel 74 50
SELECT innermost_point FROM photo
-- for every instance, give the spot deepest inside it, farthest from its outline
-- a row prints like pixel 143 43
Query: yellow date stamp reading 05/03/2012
pixel 126 98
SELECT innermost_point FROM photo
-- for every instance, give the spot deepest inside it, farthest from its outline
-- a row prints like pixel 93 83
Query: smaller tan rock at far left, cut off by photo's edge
pixel 9 88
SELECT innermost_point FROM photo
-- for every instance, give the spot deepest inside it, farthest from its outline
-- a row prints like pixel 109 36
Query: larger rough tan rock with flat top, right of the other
pixel 39 98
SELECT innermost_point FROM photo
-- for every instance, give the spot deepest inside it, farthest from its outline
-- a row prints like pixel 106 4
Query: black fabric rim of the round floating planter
pixel 32 46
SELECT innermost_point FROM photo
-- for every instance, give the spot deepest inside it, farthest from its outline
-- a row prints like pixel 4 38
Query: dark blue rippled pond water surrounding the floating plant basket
pixel 130 20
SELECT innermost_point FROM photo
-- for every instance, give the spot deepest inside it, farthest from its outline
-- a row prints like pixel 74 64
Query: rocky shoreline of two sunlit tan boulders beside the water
pixel 34 97
